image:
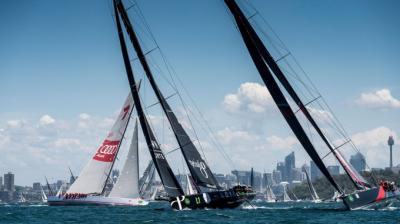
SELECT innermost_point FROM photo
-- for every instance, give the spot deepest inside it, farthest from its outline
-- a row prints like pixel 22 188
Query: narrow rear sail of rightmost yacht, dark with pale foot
pixel 357 179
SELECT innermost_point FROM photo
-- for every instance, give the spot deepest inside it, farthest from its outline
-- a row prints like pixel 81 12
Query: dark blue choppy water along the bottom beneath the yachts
pixel 293 212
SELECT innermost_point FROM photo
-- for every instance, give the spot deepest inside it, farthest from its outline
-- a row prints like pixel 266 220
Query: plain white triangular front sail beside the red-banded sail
pixel 127 185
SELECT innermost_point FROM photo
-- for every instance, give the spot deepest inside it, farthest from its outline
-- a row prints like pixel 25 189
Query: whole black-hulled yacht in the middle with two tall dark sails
pixel 214 196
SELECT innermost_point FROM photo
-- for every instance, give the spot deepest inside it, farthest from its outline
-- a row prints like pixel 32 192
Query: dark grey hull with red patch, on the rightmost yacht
pixel 373 198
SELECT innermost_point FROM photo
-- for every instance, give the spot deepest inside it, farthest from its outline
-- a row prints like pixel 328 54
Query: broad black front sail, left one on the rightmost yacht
pixel 273 88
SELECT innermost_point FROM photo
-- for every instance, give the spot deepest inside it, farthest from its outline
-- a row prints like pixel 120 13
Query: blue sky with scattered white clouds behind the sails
pixel 62 80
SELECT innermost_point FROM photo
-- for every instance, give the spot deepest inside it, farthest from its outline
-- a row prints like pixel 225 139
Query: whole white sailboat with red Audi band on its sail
pixel 89 188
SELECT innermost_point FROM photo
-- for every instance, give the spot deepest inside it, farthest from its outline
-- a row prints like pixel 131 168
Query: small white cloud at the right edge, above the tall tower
pixel 381 99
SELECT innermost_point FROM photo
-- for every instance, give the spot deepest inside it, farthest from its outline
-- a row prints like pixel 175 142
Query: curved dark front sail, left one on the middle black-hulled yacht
pixel 167 177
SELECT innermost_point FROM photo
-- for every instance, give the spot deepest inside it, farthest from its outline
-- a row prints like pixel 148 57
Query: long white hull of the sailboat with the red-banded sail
pixel 95 200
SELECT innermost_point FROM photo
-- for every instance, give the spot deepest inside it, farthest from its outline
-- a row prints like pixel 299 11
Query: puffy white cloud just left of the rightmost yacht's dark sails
pixel 250 97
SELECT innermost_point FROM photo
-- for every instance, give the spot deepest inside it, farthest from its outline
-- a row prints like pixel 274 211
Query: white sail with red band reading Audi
pixel 93 177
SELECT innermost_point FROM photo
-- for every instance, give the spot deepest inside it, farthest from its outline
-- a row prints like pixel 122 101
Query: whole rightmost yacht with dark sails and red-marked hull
pixel 365 194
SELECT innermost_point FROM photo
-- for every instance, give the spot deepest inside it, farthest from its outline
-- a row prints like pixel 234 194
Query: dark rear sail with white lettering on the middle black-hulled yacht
pixel 198 168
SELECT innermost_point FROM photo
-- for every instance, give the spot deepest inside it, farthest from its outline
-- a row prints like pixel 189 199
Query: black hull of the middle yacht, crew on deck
pixel 213 200
